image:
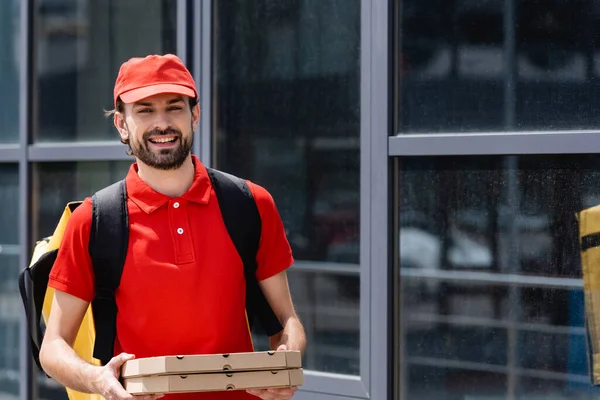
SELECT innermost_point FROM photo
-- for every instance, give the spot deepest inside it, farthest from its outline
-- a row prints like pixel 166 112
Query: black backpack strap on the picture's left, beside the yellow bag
pixel 109 237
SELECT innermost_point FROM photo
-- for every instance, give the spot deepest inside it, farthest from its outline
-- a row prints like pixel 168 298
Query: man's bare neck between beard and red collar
pixel 172 183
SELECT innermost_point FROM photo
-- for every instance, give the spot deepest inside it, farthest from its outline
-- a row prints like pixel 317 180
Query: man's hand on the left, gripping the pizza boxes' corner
pixel 107 384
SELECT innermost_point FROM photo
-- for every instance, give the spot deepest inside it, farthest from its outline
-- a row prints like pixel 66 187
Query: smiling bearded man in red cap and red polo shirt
pixel 182 288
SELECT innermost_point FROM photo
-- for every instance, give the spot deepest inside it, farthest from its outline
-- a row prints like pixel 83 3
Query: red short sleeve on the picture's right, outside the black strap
pixel 274 252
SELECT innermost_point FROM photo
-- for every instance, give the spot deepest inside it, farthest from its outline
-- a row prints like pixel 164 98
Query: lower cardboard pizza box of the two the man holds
pixel 214 382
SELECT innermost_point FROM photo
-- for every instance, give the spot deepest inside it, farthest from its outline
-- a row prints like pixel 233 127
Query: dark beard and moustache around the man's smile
pixel 165 159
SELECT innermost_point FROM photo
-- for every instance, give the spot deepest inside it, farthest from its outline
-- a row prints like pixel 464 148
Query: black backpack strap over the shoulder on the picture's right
pixel 243 223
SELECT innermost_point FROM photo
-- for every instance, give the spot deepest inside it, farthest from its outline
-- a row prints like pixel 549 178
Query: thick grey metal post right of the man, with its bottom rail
pixel 374 381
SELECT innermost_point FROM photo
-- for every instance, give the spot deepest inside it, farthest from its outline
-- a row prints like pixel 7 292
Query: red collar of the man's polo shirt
pixel 149 199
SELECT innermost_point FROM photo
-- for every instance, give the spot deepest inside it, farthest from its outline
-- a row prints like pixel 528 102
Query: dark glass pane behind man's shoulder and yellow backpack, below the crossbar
pixel 54 185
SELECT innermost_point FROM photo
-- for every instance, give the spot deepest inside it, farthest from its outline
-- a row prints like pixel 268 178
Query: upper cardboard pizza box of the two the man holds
pixel 207 363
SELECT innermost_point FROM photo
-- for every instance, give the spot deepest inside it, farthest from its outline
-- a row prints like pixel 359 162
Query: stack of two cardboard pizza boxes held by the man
pixel 214 372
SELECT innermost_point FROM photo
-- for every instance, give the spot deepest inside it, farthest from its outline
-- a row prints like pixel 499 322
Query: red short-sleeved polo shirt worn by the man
pixel 183 289
